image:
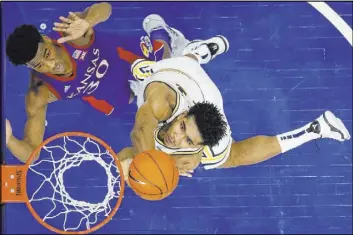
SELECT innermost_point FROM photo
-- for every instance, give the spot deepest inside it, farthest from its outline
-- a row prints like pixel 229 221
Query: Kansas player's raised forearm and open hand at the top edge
pixel 78 27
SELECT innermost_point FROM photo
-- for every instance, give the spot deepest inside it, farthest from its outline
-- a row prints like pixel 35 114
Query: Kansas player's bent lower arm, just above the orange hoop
pixel 37 100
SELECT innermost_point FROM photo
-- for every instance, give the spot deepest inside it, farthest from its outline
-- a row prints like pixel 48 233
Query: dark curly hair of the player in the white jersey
pixel 210 122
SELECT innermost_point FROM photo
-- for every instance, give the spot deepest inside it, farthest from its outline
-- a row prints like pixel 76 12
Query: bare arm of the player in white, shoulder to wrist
pixel 154 110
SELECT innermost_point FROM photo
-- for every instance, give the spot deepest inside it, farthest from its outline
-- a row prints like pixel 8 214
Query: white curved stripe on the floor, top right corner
pixel 335 19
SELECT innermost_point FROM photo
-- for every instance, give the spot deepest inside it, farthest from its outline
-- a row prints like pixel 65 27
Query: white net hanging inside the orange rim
pixel 55 161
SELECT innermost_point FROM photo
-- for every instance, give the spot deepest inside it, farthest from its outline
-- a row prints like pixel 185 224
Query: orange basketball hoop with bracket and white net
pixel 40 183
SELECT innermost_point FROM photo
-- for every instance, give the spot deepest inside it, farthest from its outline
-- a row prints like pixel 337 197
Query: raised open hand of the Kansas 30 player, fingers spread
pixel 73 28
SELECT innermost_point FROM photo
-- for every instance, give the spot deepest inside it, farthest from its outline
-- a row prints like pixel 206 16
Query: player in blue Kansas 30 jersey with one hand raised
pixel 75 62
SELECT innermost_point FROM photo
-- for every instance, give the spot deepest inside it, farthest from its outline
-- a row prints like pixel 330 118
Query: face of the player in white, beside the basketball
pixel 183 133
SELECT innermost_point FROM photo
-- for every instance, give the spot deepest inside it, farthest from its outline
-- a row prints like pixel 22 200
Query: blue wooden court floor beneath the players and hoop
pixel 286 65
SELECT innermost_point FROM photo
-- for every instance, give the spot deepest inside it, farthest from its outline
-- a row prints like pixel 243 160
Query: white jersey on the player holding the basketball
pixel 192 85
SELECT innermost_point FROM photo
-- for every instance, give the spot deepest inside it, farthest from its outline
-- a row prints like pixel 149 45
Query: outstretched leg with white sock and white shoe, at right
pixel 261 148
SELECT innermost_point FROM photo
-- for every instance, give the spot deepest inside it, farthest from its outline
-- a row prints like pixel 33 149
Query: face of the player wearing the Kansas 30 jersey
pixel 47 59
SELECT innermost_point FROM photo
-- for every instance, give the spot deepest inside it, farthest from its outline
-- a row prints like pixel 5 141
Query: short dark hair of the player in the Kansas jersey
pixel 22 44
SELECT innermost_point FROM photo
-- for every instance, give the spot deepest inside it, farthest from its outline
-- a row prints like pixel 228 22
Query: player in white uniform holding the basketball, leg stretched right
pixel 181 113
